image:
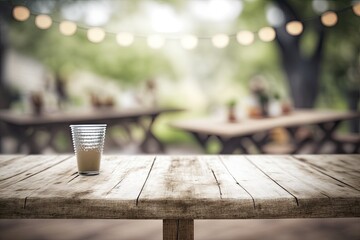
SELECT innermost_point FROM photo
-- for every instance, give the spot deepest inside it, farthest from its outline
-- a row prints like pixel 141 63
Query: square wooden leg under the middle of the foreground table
pixel 178 229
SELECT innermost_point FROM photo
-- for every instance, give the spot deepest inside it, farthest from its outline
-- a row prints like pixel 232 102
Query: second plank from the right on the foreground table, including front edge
pixel 311 188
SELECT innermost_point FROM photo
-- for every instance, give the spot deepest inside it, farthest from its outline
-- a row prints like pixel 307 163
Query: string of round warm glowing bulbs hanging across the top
pixel 96 35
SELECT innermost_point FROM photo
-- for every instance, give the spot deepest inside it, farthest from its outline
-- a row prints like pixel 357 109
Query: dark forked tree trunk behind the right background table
pixel 302 71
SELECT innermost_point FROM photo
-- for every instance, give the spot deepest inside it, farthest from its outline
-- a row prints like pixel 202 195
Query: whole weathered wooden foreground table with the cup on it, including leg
pixel 180 189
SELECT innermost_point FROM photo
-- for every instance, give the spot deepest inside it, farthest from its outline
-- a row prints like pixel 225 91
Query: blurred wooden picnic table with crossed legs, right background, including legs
pixel 232 135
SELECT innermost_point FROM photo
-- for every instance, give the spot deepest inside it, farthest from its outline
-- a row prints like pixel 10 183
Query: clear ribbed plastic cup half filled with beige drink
pixel 88 142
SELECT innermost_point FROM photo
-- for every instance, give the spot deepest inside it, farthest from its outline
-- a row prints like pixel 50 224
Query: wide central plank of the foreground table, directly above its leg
pixel 186 186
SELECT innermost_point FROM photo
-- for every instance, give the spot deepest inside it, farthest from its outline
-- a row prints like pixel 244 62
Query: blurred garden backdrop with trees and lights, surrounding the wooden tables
pixel 201 56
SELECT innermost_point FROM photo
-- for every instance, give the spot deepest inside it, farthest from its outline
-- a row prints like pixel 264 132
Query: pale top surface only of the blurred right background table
pixel 250 126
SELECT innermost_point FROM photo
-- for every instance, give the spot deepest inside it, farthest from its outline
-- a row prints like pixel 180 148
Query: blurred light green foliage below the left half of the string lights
pixel 65 54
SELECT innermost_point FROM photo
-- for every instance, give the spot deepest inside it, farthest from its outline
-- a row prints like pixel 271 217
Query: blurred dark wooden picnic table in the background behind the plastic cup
pixel 25 127
